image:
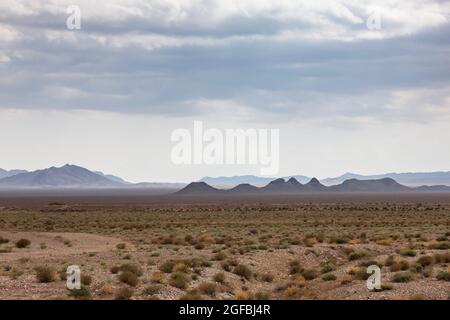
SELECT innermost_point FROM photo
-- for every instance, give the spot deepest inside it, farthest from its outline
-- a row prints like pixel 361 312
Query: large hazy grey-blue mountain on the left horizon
pixel 68 176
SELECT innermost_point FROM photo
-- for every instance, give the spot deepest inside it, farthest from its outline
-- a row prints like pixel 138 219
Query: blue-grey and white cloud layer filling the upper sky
pixel 283 59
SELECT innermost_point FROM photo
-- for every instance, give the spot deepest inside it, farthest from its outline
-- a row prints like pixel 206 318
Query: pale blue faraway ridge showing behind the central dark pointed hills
pixel 232 181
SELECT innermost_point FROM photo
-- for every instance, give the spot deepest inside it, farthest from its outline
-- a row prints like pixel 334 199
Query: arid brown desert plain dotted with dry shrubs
pixel 163 247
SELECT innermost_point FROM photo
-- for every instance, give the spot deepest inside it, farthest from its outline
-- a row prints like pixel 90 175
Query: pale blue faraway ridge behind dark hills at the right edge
pixel 411 179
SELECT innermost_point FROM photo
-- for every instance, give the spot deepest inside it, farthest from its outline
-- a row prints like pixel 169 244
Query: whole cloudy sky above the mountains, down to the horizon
pixel 350 85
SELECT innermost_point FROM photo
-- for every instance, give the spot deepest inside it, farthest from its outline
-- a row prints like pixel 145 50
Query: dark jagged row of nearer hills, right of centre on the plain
pixel 293 186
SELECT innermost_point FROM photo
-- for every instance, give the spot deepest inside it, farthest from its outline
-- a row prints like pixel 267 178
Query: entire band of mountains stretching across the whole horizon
pixel 72 176
